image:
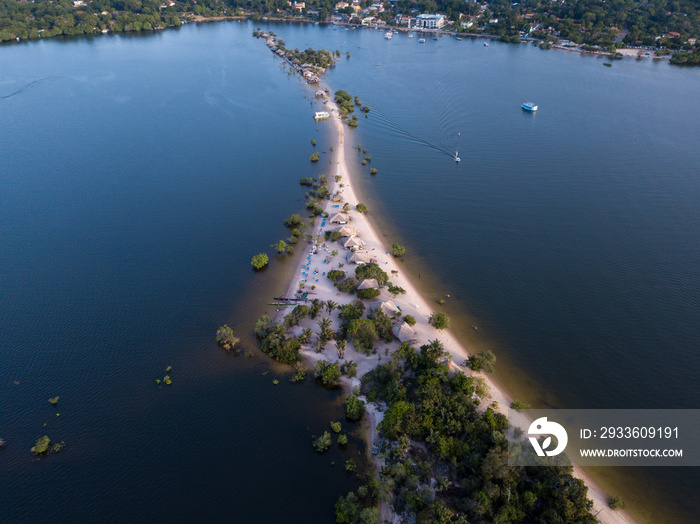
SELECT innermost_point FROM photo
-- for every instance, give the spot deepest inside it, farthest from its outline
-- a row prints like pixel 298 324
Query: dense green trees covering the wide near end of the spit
pixel 447 461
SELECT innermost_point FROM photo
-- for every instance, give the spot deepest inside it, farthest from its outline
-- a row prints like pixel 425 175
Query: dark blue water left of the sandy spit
pixel 137 178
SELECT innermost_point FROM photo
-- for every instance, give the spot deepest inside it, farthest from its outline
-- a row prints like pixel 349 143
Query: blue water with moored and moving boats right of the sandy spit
pixel 568 236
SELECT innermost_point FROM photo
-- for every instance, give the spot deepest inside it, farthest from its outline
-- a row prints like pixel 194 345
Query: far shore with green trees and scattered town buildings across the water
pixel 662 25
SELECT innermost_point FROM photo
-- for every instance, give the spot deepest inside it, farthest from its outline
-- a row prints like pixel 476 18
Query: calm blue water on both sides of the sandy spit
pixel 139 175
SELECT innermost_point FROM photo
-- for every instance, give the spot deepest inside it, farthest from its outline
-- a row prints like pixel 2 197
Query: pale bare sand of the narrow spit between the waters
pixel 312 269
